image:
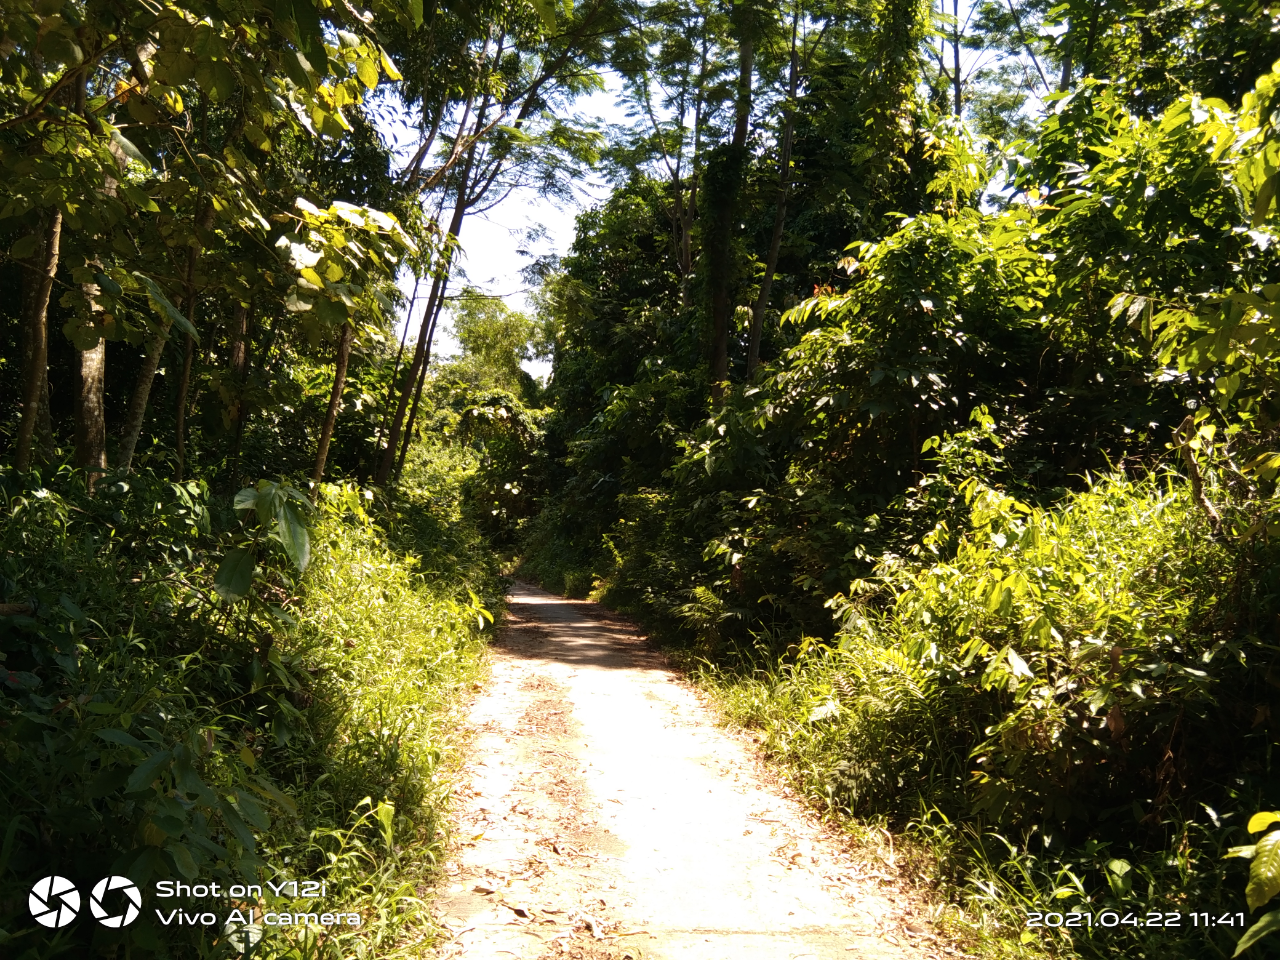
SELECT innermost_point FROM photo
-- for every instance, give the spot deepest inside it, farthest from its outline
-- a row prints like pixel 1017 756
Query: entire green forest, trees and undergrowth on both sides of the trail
pixel 915 382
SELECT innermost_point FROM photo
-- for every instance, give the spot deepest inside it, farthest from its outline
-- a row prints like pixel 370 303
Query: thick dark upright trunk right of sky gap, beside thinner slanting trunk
pixel 733 164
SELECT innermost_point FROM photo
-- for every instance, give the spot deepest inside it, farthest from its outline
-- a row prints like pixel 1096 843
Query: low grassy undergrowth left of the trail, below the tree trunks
pixel 156 730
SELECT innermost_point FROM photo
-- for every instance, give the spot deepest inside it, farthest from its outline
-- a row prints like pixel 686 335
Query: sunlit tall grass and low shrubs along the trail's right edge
pixel 1071 708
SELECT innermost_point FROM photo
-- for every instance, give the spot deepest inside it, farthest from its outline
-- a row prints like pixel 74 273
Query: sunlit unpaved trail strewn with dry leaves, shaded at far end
pixel 605 815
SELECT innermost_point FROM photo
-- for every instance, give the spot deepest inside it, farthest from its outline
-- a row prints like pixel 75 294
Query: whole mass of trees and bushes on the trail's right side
pixel 934 414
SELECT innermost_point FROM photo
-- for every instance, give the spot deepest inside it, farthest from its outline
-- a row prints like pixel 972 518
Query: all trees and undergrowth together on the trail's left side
pixel 217 665
